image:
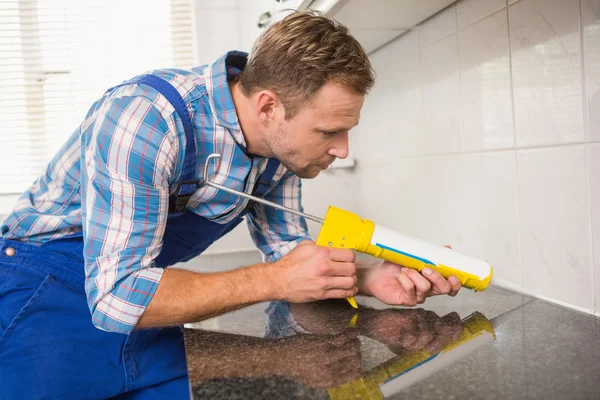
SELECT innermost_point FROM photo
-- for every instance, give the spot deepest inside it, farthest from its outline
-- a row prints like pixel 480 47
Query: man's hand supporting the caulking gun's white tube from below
pixel 396 285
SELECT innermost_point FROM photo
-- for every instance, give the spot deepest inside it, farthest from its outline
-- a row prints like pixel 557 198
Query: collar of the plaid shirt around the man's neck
pixel 225 69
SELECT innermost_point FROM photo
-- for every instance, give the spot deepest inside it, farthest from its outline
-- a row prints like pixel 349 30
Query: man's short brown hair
pixel 296 56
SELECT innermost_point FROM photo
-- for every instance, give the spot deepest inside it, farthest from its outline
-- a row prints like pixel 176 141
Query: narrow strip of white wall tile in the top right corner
pixel 590 14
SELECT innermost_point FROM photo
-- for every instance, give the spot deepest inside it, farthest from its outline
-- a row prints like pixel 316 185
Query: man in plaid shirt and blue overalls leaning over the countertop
pixel 87 307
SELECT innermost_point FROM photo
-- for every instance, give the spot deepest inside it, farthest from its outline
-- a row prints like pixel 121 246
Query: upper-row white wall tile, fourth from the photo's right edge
pixel 441 97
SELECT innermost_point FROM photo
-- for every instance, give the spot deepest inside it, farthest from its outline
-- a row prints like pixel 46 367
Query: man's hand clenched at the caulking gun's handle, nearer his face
pixel 310 272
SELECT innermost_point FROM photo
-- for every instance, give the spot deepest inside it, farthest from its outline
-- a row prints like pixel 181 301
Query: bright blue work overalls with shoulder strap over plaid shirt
pixel 48 345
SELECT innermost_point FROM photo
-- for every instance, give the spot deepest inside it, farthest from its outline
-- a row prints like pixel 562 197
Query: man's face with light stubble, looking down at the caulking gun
pixel 318 134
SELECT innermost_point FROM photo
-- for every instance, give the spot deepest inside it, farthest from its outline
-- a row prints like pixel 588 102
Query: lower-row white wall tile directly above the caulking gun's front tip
pixel 489 220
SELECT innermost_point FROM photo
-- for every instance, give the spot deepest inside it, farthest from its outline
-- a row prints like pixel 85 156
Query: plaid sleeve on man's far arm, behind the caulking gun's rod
pixel 276 232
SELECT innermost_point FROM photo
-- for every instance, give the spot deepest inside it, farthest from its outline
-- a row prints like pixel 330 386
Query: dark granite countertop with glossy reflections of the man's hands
pixel 491 345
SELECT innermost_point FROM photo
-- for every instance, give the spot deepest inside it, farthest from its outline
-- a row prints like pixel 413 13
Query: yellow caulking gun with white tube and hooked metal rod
pixel 343 229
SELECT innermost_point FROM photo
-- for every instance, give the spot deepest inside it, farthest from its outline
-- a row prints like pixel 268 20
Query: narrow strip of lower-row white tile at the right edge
pixel 594 162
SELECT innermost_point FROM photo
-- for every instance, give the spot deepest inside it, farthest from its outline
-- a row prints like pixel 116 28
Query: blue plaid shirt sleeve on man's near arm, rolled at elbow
pixel 128 164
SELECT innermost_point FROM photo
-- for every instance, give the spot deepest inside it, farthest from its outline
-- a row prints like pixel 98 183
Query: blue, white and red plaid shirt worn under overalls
pixel 112 178
